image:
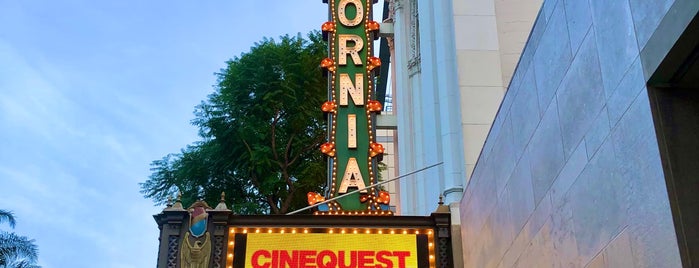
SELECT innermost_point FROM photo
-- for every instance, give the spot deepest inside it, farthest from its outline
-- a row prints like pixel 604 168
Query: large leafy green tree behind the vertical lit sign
pixel 260 132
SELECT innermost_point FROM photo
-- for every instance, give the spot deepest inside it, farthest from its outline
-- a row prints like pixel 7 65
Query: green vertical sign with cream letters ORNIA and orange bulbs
pixel 351 147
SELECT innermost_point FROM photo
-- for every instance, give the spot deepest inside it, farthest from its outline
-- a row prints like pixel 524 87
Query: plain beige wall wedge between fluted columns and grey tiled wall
pixel 489 37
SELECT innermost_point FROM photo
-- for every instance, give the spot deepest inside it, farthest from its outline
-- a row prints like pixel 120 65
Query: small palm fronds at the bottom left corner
pixel 16 251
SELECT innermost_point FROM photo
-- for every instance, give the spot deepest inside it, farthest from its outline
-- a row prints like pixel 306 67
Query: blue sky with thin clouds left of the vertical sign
pixel 92 91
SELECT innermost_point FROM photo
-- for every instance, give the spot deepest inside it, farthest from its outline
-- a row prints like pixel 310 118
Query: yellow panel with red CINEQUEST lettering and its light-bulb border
pixel 337 247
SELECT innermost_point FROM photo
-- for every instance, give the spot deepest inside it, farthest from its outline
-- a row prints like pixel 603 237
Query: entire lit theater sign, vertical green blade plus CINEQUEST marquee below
pixel 352 225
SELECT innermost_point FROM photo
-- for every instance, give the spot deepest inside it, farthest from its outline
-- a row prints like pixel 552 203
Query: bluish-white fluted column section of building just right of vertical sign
pixel 425 77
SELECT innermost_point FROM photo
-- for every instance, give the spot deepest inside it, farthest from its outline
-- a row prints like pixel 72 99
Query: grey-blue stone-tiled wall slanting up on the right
pixel 570 174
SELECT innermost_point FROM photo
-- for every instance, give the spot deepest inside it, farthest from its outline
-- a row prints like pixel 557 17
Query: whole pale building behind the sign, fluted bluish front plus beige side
pixel 452 60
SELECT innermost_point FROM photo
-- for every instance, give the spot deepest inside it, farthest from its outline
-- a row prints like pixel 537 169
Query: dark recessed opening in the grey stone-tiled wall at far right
pixel 674 97
